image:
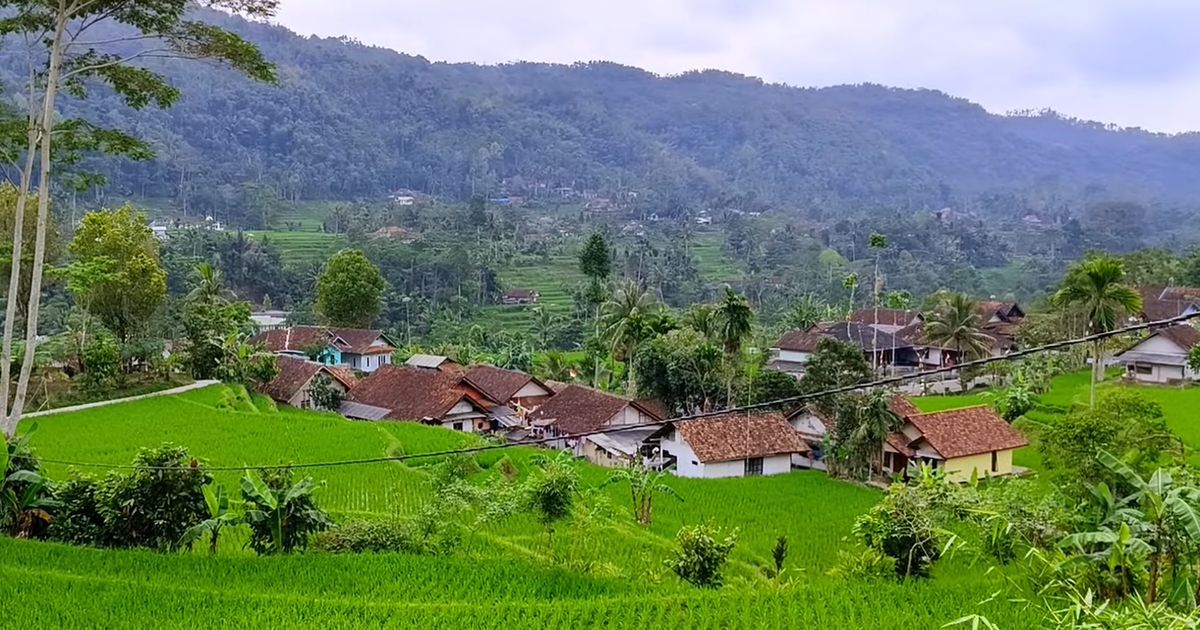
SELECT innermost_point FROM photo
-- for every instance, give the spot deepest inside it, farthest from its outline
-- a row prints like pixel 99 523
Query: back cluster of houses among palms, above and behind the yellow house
pixel 893 340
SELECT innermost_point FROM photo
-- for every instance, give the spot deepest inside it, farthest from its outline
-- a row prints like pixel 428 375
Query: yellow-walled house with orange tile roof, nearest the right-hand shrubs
pixel 971 441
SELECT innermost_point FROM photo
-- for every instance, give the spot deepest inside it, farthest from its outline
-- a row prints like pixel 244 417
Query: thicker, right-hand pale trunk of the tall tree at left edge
pixel 44 211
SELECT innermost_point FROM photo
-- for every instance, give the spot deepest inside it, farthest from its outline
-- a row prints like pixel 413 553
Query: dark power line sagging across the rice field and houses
pixel 791 401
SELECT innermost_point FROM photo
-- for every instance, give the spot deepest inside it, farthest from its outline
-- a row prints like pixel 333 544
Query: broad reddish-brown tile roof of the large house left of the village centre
pixel 416 394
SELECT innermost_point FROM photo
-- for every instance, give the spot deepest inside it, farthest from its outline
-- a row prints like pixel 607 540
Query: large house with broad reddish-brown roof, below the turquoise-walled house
pixel 415 394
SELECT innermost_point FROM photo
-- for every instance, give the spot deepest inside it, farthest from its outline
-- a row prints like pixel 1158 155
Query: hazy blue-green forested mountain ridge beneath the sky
pixel 353 122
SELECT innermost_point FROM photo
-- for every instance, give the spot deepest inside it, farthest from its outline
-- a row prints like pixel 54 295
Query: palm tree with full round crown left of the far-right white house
pixel 1096 290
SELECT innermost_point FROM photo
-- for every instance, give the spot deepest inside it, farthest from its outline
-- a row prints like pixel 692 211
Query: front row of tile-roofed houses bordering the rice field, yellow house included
pixel 603 428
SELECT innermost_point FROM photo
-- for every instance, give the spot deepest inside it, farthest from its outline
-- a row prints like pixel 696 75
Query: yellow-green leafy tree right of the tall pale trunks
pixel 135 285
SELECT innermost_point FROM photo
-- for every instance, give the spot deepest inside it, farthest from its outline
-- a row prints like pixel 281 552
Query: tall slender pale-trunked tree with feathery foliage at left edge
pixel 67 53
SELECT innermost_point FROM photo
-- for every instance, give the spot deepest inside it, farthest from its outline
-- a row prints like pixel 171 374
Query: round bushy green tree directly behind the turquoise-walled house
pixel 350 291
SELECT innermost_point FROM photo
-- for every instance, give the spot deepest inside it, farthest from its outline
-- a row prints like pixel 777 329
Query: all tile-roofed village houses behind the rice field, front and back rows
pixel 519 409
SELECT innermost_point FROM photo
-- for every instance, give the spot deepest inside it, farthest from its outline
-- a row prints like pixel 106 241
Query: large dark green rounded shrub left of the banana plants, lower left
pixel 155 503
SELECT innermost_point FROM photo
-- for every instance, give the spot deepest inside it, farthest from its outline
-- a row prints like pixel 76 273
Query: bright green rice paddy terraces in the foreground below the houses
pixel 610 575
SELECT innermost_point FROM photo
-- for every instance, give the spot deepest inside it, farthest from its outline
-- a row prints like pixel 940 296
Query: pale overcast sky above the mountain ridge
pixel 1131 63
